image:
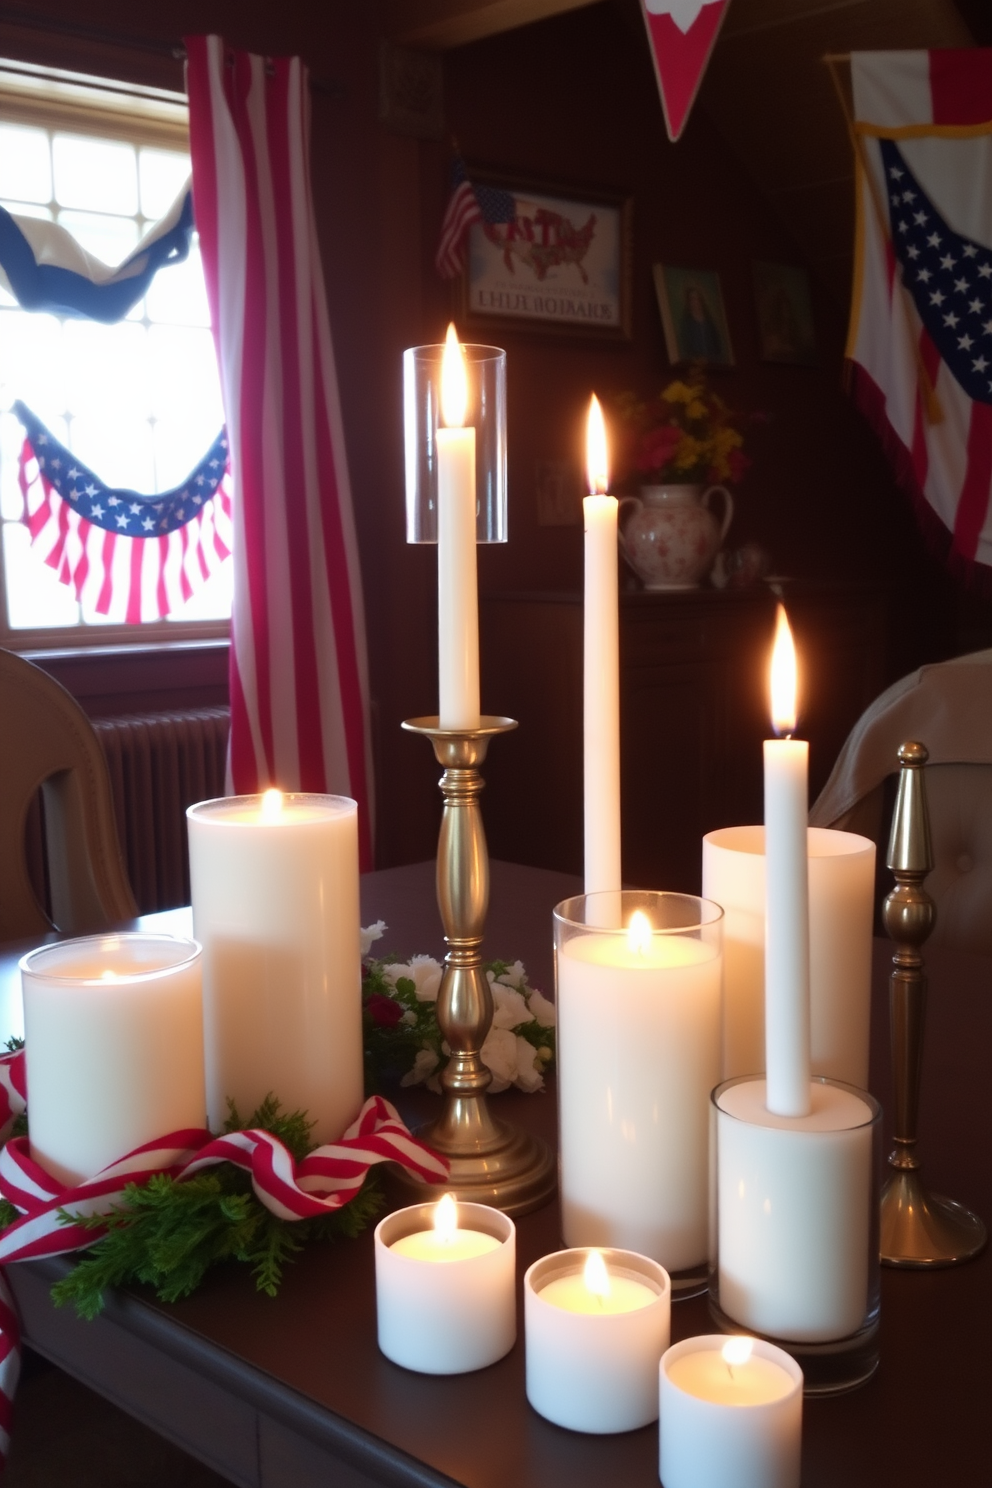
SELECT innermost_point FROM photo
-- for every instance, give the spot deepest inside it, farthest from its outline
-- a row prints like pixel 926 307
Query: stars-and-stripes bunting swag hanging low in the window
pixel 130 557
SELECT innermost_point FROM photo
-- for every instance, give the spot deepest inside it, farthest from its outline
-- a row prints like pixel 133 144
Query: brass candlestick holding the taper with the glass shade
pixel 492 1163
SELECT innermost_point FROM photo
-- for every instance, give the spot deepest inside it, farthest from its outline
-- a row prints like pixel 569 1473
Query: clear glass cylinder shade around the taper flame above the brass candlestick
pixel 486 413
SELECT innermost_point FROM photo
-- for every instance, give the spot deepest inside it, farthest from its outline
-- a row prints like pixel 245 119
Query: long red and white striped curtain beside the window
pixel 300 697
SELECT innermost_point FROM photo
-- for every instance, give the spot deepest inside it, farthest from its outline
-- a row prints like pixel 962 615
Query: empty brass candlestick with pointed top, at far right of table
pixel 918 1228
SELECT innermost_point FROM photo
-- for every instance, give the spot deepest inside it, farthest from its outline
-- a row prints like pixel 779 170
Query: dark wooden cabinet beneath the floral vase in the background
pixel 694 712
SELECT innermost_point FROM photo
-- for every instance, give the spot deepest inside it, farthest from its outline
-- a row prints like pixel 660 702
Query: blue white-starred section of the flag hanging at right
pixel 948 276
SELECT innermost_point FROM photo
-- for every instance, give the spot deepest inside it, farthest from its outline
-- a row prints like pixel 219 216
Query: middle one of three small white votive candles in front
pixel 594 1344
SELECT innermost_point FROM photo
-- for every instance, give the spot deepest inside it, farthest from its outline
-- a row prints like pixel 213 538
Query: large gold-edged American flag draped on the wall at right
pixel 921 322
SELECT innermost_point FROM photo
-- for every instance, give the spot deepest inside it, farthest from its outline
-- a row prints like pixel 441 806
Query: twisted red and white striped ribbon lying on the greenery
pixel 323 1182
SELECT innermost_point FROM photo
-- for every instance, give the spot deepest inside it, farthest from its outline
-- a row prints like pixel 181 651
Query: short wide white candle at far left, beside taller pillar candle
pixel 115 1048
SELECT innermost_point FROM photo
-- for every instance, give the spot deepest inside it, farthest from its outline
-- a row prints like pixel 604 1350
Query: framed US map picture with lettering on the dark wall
pixel 548 260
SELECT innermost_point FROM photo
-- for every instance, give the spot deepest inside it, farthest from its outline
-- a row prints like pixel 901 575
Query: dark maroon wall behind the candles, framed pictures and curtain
pixel 569 102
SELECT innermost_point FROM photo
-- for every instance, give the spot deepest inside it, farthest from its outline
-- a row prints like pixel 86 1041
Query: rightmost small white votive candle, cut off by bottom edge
pixel 731 1414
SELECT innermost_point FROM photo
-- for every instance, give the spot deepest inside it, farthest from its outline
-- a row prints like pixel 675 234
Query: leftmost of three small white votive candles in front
pixel 445 1294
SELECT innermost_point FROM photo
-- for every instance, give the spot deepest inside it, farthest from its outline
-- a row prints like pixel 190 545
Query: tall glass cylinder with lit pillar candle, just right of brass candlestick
pixel 639 1054
